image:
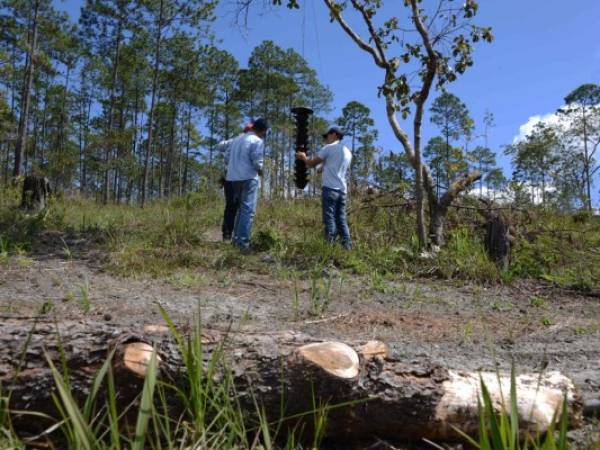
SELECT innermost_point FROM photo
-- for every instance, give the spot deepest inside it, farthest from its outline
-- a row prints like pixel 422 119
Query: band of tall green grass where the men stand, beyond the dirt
pixel 183 233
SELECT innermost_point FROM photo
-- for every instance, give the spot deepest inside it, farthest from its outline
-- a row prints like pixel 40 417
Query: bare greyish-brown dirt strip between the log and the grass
pixel 457 324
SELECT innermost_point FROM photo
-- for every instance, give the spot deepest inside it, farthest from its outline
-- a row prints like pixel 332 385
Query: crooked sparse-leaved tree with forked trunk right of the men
pixel 433 46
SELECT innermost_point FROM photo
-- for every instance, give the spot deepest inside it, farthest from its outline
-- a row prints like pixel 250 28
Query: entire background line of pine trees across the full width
pixel 128 104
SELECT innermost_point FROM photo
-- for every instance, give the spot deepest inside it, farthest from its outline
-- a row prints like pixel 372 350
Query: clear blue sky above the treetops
pixel 543 49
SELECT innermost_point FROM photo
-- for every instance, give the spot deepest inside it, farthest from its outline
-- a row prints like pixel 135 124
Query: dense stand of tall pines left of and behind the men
pixel 129 103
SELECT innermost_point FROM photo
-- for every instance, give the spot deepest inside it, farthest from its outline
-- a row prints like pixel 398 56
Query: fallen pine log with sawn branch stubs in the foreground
pixel 385 396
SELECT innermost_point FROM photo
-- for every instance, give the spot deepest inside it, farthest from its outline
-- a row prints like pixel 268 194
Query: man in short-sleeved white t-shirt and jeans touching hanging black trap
pixel 336 159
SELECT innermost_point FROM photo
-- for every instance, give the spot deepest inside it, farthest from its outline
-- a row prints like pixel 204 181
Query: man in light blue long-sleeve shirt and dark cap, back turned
pixel 244 160
